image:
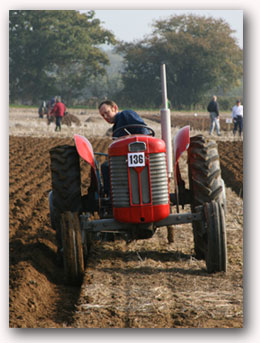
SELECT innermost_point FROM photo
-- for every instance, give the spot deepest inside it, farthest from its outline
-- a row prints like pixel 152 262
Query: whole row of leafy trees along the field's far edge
pixel 60 53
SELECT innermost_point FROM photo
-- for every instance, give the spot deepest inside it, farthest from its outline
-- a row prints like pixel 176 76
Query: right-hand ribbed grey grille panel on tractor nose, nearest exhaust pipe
pixel 159 179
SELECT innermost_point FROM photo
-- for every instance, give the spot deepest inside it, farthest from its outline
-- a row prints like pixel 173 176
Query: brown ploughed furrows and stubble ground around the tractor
pixel 144 284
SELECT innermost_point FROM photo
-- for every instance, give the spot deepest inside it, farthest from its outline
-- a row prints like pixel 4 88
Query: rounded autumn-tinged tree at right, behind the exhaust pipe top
pixel 200 55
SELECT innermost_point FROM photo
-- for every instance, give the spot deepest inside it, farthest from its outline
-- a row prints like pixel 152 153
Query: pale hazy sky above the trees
pixel 129 25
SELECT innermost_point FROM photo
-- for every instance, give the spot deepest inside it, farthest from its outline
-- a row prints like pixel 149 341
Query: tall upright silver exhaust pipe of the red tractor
pixel 166 122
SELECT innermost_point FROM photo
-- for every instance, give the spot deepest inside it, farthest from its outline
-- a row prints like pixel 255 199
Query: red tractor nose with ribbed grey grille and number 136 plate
pixel 139 179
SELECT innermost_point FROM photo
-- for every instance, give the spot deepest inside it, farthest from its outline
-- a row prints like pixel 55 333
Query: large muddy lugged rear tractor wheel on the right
pixel 205 184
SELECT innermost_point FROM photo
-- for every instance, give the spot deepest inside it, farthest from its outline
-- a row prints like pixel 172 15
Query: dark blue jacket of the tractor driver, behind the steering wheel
pixel 128 117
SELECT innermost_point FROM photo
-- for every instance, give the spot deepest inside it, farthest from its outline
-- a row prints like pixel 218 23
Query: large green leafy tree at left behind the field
pixel 54 52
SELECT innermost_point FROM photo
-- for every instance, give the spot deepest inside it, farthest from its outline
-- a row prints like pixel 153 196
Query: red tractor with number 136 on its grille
pixel 140 201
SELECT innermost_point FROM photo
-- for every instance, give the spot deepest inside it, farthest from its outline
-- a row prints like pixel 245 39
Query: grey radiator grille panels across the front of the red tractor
pixel 120 185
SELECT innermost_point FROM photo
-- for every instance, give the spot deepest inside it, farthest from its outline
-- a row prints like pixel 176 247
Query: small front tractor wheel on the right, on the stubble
pixel 216 254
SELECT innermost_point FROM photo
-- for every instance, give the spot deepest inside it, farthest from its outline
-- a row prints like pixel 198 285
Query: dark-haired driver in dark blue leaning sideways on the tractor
pixel 109 111
